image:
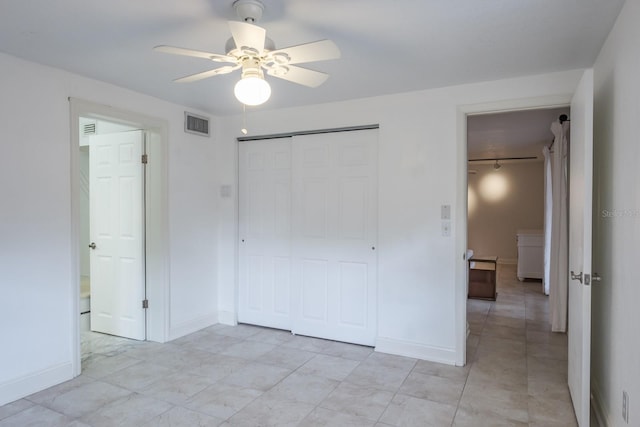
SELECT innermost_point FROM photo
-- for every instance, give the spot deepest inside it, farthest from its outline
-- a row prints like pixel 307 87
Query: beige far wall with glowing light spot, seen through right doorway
pixel 501 202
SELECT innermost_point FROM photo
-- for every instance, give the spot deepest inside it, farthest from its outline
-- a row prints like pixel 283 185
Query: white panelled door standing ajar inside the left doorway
pixel 117 230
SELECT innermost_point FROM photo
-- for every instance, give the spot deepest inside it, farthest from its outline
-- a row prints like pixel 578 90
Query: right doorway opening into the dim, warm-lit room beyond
pixel 507 304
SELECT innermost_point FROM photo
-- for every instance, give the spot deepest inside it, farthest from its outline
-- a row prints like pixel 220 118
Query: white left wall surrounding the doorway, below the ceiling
pixel 36 281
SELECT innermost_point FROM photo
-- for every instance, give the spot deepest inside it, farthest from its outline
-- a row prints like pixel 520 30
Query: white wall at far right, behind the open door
pixel 616 343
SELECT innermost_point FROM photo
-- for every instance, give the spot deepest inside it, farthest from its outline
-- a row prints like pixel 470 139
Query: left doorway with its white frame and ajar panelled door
pixel 119 205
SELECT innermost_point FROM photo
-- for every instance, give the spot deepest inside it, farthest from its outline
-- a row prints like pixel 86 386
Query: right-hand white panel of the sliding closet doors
pixel 334 178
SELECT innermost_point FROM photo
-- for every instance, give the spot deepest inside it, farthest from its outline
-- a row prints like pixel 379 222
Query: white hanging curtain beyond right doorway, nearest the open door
pixel 558 272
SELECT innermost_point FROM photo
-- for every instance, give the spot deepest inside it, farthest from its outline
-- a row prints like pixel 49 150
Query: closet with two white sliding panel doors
pixel 308 233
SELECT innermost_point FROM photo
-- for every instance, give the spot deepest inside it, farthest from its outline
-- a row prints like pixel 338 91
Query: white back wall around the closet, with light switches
pixel 421 158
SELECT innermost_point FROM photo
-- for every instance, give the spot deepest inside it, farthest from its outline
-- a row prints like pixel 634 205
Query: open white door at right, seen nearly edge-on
pixel 580 230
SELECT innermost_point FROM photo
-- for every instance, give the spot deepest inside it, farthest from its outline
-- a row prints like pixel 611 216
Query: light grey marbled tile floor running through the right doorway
pixel 251 376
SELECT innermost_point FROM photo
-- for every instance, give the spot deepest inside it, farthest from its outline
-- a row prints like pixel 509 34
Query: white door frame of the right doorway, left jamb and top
pixel 461 275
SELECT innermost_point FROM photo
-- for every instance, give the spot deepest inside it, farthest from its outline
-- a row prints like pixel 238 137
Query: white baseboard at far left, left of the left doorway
pixel 32 383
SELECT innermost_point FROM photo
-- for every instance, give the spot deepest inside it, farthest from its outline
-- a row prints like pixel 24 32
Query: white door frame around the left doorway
pixel 156 218
